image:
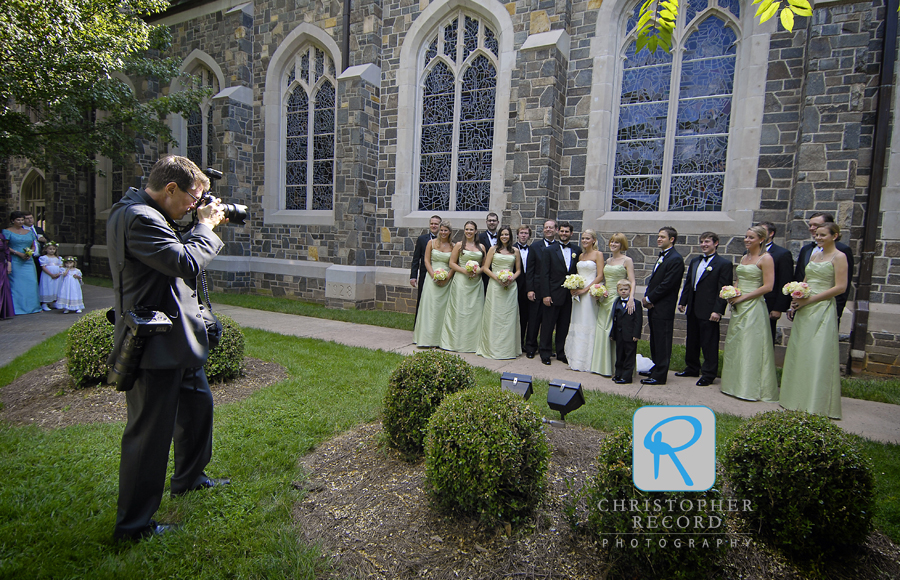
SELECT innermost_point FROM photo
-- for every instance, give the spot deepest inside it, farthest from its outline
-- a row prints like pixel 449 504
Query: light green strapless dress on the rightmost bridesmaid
pixel 811 380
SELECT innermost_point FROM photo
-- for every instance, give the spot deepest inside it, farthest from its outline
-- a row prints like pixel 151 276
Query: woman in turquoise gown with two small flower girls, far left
pixel 33 277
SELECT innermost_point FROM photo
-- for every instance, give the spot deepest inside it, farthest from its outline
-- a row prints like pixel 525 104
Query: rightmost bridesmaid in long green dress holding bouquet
pixel 811 380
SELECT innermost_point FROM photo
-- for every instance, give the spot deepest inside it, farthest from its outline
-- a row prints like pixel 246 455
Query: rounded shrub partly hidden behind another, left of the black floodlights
pixel 417 386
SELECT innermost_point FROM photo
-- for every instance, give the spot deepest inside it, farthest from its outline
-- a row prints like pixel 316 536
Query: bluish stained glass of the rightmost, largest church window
pixel 672 137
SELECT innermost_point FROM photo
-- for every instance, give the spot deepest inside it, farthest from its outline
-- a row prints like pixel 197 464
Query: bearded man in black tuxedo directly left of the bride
pixel 557 262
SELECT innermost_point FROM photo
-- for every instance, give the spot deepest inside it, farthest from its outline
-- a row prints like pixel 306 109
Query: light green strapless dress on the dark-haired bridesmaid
pixel 500 330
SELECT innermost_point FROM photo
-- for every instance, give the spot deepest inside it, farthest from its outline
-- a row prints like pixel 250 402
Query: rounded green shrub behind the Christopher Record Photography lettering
pixel 631 523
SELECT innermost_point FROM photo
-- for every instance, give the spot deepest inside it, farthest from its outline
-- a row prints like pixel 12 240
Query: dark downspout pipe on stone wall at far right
pixel 876 183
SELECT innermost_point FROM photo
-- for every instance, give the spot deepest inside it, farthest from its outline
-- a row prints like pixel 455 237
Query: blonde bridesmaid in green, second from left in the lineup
pixel 462 323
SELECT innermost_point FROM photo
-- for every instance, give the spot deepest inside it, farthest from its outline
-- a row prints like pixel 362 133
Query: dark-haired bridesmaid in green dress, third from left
pixel 500 332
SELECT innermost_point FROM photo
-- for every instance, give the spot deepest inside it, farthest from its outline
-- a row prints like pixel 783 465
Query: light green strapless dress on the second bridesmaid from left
pixel 462 322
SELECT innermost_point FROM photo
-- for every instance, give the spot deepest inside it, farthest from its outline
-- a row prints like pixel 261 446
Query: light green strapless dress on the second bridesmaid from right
pixel 748 370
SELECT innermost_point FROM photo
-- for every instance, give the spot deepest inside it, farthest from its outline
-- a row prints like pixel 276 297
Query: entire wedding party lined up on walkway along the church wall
pixel 497 295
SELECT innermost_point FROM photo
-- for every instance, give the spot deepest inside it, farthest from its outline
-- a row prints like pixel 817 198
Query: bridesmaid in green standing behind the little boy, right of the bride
pixel 618 267
